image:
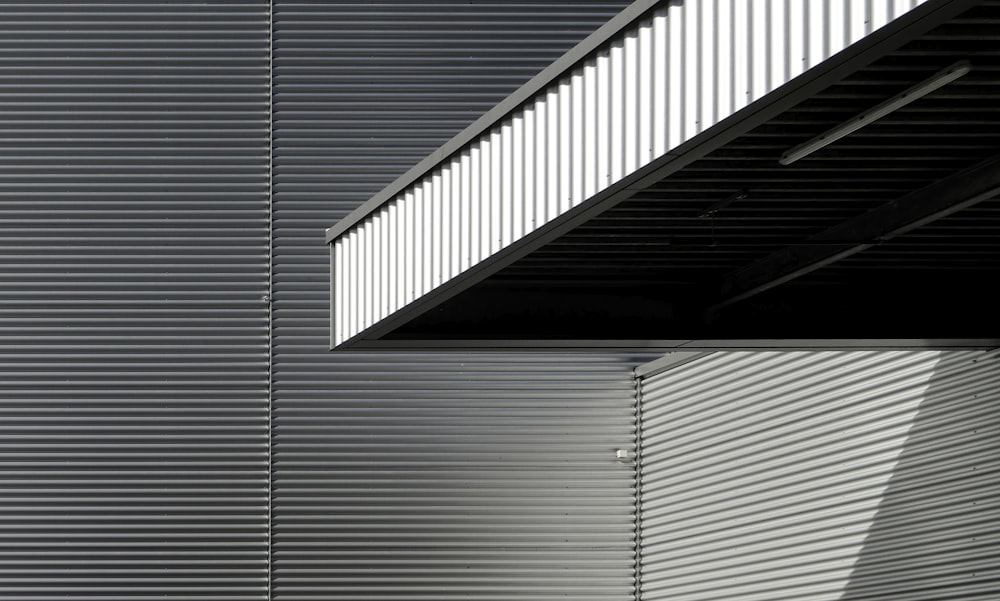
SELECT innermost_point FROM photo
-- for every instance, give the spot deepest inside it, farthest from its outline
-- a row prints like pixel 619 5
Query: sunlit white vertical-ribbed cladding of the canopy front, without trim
pixel 695 63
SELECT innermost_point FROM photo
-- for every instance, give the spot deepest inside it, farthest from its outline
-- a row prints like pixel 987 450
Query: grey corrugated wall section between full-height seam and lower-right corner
pixel 404 476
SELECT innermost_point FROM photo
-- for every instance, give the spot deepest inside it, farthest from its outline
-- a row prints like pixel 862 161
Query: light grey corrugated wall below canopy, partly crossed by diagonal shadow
pixel 822 476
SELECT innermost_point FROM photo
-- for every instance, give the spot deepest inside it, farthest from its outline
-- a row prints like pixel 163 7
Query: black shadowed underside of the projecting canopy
pixel 651 266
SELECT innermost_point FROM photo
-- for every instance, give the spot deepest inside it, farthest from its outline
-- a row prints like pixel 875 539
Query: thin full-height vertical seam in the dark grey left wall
pixel 270 281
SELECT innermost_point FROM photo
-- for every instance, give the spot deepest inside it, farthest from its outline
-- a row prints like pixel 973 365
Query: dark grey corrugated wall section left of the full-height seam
pixel 133 339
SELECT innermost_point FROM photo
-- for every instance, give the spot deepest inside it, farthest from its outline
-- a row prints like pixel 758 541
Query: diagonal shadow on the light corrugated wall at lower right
pixel 936 533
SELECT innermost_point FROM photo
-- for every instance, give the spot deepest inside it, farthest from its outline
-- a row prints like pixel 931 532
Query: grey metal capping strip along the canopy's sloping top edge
pixel 539 82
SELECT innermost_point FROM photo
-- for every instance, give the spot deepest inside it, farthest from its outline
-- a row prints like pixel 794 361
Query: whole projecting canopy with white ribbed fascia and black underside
pixel 636 189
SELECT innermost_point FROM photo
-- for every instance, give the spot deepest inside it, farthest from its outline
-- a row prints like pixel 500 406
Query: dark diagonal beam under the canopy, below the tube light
pixel 942 198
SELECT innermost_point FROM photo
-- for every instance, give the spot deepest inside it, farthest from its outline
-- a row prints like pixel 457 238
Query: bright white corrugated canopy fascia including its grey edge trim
pixel 639 95
